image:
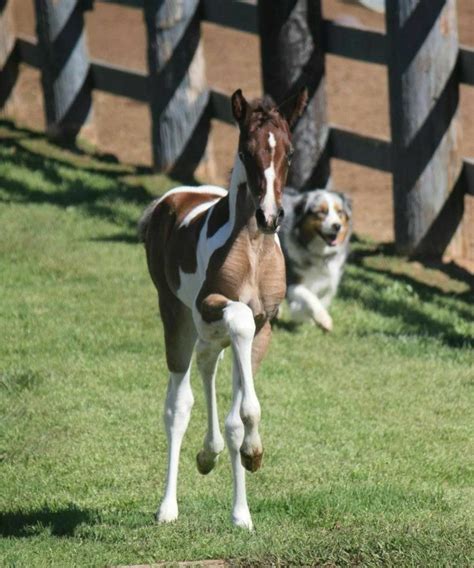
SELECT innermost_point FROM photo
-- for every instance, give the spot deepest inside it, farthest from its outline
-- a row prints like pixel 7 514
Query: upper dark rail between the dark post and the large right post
pixel 355 43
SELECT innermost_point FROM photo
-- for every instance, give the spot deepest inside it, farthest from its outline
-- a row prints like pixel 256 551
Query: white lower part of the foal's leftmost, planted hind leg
pixel 179 401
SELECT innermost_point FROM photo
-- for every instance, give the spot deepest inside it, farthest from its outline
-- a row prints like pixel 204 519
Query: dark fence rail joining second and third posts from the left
pixel 119 81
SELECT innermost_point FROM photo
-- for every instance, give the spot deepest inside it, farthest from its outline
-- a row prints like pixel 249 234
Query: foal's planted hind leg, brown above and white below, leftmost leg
pixel 180 338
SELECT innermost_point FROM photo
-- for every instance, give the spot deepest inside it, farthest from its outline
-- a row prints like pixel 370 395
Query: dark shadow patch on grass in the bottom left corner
pixel 62 522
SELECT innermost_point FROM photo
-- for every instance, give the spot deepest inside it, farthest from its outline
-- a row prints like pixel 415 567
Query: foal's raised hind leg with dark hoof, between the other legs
pixel 207 360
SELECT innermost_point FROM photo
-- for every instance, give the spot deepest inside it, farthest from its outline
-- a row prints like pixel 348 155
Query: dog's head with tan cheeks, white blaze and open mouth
pixel 322 214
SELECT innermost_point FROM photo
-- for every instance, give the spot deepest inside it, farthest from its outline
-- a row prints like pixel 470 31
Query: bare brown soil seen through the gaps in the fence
pixel 357 95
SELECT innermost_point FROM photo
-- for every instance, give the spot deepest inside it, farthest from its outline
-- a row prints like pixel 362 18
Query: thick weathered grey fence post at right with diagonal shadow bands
pixel 422 51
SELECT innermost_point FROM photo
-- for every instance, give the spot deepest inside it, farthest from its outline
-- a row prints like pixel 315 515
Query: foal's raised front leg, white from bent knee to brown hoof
pixel 241 327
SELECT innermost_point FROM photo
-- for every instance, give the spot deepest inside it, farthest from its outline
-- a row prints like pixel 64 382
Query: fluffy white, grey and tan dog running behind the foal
pixel 315 237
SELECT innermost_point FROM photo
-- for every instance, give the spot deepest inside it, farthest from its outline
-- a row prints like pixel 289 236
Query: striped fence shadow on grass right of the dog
pixel 420 305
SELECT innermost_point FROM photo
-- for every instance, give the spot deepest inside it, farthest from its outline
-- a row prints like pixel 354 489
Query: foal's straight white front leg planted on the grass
pixel 234 430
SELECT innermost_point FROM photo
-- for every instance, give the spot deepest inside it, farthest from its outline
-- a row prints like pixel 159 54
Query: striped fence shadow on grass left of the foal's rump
pixel 71 191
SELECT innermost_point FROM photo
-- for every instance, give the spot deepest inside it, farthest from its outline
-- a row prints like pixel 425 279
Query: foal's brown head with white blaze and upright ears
pixel 265 151
